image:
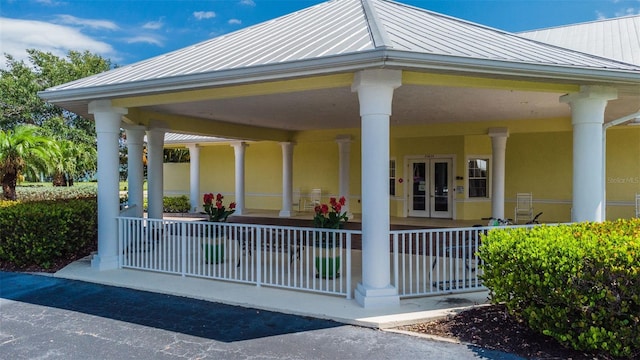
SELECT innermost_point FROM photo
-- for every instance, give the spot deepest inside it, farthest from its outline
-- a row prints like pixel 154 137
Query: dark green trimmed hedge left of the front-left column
pixel 41 233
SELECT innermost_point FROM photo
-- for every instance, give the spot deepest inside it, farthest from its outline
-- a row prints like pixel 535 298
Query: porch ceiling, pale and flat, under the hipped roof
pixel 413 104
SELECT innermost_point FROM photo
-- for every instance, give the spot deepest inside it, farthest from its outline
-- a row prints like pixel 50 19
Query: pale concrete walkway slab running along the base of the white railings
pixel 285 301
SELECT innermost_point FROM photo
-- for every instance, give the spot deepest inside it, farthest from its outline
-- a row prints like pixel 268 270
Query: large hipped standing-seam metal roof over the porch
pixel 331 34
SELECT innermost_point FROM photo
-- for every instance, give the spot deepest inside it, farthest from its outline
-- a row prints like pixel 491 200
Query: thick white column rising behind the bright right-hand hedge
pixel 587 118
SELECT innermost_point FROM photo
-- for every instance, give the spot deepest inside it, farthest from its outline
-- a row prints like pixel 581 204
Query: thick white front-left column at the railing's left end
pixel 108 121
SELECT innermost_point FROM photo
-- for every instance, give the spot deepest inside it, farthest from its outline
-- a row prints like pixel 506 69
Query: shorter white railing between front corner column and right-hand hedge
pixel 436 261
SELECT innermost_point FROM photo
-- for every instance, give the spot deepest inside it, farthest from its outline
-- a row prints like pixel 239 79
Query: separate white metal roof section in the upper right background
pixel 617 38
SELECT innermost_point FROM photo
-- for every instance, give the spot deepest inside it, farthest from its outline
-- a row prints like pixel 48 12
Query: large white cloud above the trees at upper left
pixel 20 35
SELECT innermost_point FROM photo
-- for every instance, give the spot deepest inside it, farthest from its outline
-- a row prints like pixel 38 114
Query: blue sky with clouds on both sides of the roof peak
pixel 128 31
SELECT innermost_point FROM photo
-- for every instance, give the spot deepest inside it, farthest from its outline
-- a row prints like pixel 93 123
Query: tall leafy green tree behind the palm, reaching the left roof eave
pixel 20 104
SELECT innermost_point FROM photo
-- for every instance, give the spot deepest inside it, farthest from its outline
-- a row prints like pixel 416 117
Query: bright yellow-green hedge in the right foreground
pixel 578 283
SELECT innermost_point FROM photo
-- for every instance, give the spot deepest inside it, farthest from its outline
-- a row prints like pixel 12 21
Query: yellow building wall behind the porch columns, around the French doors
pixel 536 161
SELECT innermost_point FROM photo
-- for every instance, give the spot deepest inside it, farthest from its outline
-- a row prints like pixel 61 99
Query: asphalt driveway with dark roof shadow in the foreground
pixel 42 317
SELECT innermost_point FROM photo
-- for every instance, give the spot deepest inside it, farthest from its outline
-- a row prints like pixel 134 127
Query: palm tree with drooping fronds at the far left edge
pixel 23 151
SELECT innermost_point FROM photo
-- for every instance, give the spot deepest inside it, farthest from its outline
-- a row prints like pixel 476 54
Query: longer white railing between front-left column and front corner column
pixel 298 258
